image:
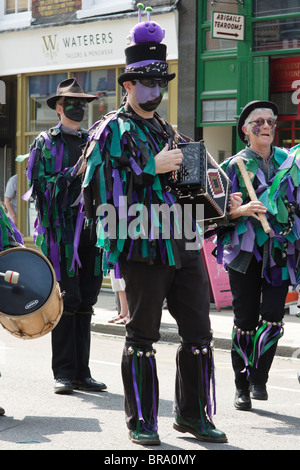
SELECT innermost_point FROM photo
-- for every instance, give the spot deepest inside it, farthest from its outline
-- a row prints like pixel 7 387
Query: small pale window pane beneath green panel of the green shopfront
pixel 219 110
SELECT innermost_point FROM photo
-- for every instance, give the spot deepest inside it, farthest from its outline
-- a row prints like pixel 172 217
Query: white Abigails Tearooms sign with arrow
pixel 228 26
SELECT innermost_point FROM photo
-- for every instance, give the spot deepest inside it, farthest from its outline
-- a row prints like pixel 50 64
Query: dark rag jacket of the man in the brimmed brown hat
pixel 56 189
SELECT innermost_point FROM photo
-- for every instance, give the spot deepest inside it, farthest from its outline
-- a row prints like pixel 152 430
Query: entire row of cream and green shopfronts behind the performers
pixel 225 54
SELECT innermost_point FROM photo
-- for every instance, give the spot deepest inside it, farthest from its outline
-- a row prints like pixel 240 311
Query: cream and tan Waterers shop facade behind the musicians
pixel 42 42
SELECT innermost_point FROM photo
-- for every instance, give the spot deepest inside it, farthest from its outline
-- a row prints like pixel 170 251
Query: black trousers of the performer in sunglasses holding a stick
pixel 253 297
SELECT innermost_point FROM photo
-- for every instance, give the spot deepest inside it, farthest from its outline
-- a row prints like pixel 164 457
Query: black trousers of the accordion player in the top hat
pixel 187 293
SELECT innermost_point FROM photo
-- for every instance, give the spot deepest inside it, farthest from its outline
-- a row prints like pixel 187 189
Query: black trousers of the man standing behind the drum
pixel 72 336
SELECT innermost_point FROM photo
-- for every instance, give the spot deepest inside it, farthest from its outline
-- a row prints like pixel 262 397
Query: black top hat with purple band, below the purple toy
pixel 146 60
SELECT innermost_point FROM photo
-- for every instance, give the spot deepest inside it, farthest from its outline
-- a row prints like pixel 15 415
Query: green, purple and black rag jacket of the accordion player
pixel 121 175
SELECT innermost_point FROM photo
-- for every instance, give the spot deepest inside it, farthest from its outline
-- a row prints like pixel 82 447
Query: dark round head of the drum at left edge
pixel 34 286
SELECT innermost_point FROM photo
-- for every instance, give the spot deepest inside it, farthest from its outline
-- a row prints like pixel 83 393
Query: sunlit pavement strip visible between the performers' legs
pixel 221 322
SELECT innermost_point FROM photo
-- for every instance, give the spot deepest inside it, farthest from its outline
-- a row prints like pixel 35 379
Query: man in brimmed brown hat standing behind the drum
pixel 54 172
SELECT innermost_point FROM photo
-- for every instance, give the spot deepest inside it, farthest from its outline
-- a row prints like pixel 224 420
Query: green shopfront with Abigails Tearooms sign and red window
pixel 246 50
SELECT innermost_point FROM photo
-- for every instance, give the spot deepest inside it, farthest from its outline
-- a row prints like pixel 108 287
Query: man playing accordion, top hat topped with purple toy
pixel 129 160
